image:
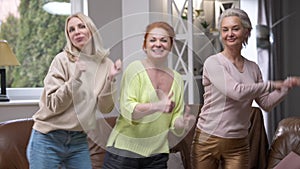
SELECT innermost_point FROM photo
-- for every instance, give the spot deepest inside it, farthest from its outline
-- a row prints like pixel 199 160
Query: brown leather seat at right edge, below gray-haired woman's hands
pixel 286 139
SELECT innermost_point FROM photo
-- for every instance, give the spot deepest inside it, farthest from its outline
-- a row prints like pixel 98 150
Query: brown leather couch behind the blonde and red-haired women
pixel 14 137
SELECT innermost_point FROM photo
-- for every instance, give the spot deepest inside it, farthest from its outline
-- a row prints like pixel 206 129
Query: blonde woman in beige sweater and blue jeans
pixel 58 137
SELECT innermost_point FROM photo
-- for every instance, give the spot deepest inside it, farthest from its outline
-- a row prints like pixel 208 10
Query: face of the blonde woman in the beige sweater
pixel 78 32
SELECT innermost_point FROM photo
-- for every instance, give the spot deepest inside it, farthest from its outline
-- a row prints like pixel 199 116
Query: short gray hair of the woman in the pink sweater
pixel 245 20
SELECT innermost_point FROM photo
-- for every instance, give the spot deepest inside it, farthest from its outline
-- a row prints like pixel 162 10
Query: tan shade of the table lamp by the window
pixel 7 57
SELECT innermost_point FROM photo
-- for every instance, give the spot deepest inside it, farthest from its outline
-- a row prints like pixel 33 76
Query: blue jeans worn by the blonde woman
pixel 60 148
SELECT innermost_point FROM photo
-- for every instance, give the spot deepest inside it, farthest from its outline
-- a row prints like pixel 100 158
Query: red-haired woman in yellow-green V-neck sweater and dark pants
pixel 151 104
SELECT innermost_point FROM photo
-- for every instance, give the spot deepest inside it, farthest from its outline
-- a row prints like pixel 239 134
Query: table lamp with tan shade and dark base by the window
pixel 7 58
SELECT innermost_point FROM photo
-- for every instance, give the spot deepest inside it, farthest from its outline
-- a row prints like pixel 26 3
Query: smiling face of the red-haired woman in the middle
pixel 158 43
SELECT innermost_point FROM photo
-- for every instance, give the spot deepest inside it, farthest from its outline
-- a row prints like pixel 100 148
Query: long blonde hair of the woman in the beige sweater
pixel 96 40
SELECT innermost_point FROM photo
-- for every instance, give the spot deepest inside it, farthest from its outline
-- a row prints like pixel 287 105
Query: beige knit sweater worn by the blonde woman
pixel 71 104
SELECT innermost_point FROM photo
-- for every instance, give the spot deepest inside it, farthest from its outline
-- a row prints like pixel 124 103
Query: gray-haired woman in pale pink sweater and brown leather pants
pixel 231 83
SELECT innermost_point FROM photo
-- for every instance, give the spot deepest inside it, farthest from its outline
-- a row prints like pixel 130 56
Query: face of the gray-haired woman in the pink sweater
pixel 232 32
